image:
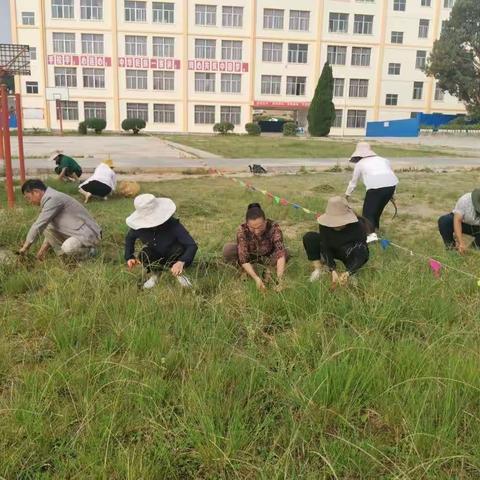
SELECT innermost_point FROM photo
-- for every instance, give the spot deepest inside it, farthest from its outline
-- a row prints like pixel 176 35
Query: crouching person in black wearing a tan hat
pixel 342 236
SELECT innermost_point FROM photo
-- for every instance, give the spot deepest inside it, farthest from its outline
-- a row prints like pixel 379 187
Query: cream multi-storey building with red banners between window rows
pixel 183 65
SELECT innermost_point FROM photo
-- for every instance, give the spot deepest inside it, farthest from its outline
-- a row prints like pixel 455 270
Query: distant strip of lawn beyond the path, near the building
pixel 244 146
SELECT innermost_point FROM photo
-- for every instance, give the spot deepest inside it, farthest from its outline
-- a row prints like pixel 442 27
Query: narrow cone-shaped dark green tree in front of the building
pixel 321 113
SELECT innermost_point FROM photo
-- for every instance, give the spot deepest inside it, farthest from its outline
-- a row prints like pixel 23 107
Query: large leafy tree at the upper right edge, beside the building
pixel 455 58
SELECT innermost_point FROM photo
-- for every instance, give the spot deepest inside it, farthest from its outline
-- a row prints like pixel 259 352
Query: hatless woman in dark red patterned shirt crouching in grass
pixel 259 240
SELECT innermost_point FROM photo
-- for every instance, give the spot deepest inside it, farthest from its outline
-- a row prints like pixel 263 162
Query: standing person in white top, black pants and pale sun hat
pixel 380 182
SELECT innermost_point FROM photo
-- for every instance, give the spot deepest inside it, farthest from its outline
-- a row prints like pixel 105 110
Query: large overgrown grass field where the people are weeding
pixel 100 380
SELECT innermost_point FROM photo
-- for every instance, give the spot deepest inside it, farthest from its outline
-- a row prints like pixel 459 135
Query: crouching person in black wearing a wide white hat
pixel 166 242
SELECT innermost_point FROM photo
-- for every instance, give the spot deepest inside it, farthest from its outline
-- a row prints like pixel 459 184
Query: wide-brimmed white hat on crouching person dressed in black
pixel 150 211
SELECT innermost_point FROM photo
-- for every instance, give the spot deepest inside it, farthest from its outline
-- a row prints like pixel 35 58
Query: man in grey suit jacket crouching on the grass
pixel 66 224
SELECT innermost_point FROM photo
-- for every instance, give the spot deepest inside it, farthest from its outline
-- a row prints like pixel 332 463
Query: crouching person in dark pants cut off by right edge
pixel 464 219
